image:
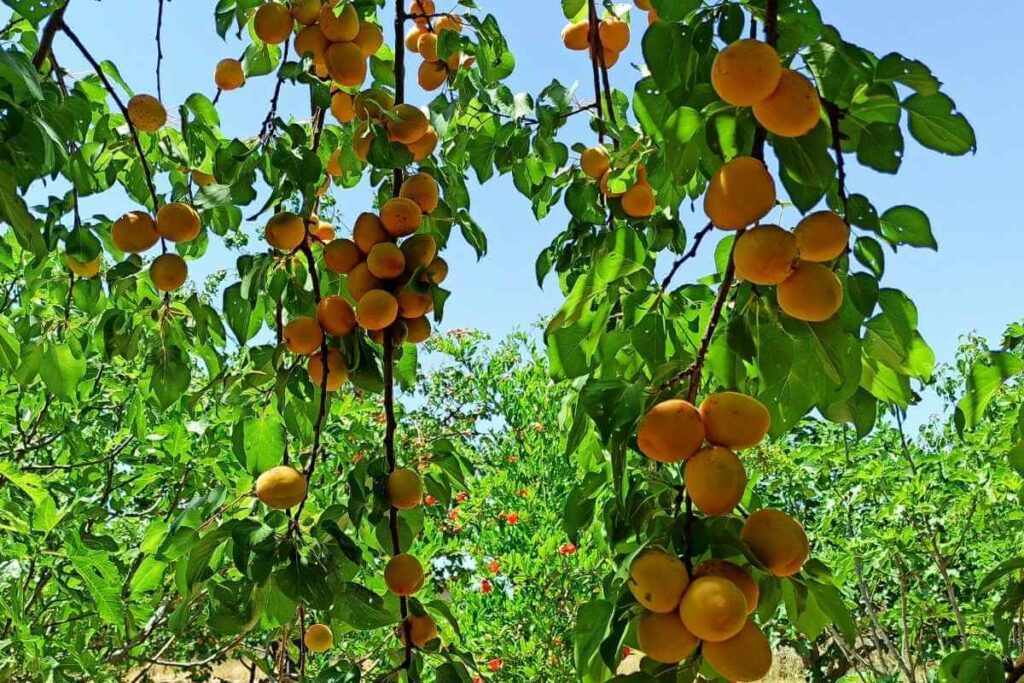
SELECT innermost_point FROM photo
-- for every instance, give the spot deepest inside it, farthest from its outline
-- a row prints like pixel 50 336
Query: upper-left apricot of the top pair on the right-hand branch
pixel 746 72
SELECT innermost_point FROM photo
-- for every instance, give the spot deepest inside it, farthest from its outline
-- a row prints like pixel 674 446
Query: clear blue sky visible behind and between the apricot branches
pixel 972 283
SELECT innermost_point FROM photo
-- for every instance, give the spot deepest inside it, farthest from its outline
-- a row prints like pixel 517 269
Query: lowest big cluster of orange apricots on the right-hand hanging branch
pixel 714 606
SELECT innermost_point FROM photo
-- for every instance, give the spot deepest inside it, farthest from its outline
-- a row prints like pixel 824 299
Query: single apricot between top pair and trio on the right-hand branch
pixel 742 193
